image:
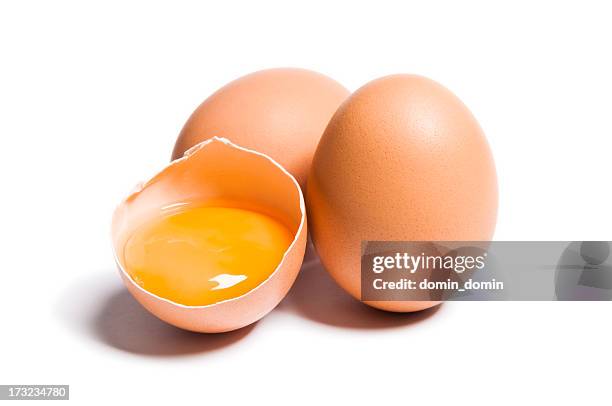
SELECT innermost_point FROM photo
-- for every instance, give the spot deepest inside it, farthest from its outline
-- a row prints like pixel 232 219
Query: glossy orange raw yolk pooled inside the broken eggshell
pixel 202 255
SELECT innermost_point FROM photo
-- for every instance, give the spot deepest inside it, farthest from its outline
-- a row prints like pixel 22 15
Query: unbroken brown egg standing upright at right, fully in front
pixel 402 159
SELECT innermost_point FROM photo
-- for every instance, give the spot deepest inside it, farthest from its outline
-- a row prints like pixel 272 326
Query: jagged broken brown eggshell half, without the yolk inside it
pixel 217 170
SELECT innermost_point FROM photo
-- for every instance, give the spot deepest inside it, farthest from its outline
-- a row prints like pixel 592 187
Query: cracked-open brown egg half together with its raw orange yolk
pixel 214 241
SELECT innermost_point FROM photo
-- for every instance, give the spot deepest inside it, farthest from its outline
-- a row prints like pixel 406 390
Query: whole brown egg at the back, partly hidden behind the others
pixel 279 112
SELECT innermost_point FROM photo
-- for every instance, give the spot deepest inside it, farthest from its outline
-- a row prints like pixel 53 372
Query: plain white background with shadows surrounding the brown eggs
pixel 92 98
